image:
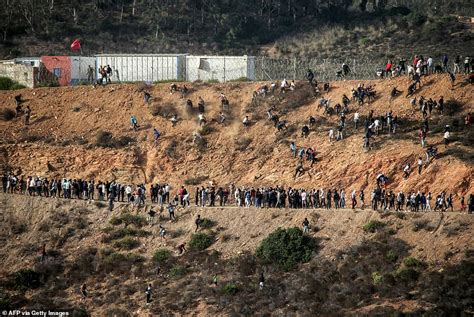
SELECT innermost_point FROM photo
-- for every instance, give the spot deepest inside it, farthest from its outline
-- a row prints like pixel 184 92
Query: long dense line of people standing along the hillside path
pixel 211 196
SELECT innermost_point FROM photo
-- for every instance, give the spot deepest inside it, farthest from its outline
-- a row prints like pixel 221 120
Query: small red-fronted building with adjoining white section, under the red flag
pixel 67 70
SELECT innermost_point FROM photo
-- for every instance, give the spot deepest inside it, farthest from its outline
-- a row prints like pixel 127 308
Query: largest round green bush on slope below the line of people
pixel 286 248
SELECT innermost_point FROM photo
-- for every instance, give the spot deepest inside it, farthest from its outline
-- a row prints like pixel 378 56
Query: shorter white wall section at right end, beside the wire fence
pixel 221 68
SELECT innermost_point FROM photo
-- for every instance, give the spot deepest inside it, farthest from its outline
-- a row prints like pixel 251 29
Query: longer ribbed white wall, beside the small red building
pixel 142 67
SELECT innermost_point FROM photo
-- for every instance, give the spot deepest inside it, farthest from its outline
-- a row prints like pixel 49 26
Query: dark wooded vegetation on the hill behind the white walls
pixel 35 27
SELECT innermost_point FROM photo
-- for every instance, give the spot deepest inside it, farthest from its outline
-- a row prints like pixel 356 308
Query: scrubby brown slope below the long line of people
pixel 338 280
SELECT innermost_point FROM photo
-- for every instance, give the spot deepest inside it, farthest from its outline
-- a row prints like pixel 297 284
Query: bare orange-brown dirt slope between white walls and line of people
pixel 60 140
